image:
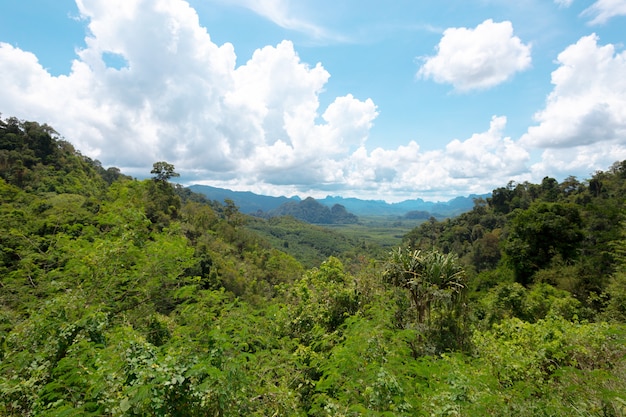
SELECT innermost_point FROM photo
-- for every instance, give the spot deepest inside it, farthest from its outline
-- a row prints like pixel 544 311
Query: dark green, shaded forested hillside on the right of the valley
pixel 563 234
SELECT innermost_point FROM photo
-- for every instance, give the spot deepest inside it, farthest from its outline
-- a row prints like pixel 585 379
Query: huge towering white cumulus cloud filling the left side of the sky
pixel 181 98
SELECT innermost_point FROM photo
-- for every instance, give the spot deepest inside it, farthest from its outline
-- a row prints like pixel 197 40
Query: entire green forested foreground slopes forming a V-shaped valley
pixel 121 297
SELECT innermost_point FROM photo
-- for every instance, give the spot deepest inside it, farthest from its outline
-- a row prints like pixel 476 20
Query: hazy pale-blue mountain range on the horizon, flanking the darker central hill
pixel 250 203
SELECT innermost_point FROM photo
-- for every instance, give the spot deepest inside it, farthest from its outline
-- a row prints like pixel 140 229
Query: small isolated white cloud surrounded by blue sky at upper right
pixel 477 58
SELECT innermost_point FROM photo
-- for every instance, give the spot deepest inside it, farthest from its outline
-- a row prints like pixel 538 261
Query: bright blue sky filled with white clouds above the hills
pixel 391 100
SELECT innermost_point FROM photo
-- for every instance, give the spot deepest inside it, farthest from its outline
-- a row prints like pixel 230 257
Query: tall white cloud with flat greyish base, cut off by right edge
pixel 588 103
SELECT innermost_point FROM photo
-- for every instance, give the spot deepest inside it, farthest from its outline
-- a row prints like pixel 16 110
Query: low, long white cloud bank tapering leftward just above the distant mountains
pixel 477 165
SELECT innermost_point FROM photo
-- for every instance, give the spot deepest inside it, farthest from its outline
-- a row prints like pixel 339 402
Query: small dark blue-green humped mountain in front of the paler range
pixel 311 211
